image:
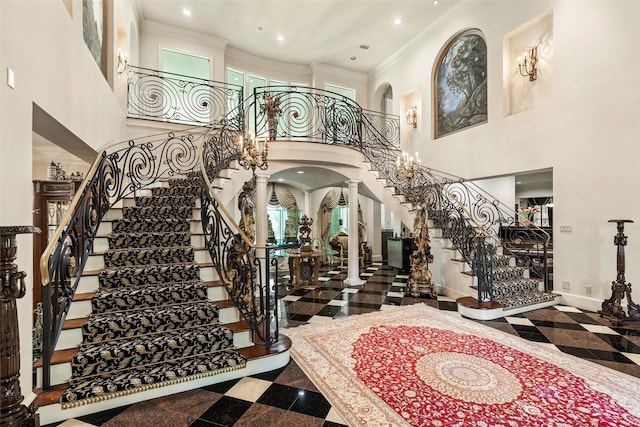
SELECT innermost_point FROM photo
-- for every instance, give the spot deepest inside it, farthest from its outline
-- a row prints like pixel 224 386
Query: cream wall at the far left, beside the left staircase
pixel 42 43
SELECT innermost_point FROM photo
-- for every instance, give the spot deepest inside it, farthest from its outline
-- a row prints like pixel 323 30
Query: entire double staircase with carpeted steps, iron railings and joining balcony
pixel 150 310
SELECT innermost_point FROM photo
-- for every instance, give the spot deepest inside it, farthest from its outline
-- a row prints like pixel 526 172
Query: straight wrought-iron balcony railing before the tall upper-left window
pixel 158 95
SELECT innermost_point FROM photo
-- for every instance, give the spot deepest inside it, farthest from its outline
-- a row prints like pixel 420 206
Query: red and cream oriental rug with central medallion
pixel 418 366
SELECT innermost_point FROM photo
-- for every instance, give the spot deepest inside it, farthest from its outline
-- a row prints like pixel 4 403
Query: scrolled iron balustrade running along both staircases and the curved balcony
pixel 467 215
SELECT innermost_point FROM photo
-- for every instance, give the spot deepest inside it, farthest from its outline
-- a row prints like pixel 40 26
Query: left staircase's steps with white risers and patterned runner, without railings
pixel 149 311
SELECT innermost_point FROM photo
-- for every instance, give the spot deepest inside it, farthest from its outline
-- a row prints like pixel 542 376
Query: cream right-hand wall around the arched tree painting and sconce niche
pixel 587 132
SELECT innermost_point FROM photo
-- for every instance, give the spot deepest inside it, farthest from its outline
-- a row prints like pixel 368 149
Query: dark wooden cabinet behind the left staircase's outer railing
pixel 51 200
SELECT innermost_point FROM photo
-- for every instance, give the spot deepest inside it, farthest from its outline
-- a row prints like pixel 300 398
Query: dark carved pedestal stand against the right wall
pixel 612 307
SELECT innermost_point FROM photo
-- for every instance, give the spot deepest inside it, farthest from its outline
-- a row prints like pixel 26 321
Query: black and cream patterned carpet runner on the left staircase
pixel 152 323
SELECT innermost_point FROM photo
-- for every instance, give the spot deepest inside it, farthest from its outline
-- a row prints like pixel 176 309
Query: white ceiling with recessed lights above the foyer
pixel 329 32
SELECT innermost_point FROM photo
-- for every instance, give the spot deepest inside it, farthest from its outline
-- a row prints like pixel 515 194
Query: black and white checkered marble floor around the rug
pixel 286 397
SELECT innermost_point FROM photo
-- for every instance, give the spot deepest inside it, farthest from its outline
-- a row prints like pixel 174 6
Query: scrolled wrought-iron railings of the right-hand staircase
pixel 470 217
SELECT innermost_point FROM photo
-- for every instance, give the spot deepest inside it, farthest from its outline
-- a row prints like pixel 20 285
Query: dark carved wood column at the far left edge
pixel 12 411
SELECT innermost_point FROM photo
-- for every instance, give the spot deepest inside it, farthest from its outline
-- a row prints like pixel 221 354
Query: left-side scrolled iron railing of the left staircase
pixel 118 171
